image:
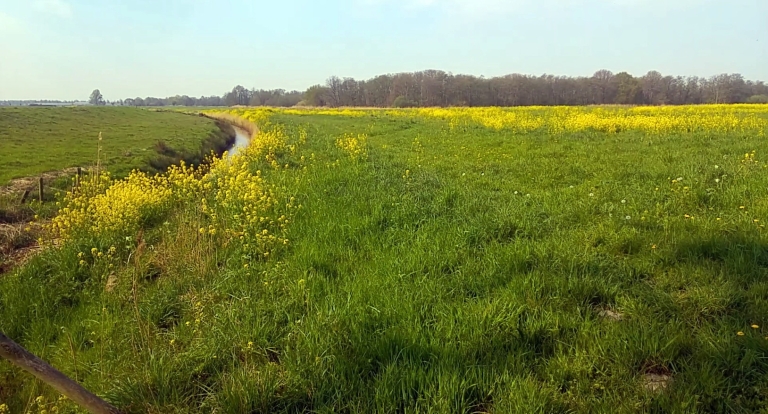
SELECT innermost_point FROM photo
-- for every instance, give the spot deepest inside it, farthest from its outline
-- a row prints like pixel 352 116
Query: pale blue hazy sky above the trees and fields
pixel 63 49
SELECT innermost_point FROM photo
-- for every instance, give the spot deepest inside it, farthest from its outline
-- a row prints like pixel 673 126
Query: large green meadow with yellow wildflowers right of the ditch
pixel 531 260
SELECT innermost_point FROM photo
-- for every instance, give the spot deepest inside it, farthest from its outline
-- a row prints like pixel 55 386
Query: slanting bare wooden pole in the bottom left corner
pixel 20 357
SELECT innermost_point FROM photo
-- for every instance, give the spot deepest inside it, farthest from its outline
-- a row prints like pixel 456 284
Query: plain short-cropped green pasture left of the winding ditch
pixel 37 140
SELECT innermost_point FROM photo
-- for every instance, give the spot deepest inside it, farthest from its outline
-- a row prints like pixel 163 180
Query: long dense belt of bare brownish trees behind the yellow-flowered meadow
pixel 438 88
